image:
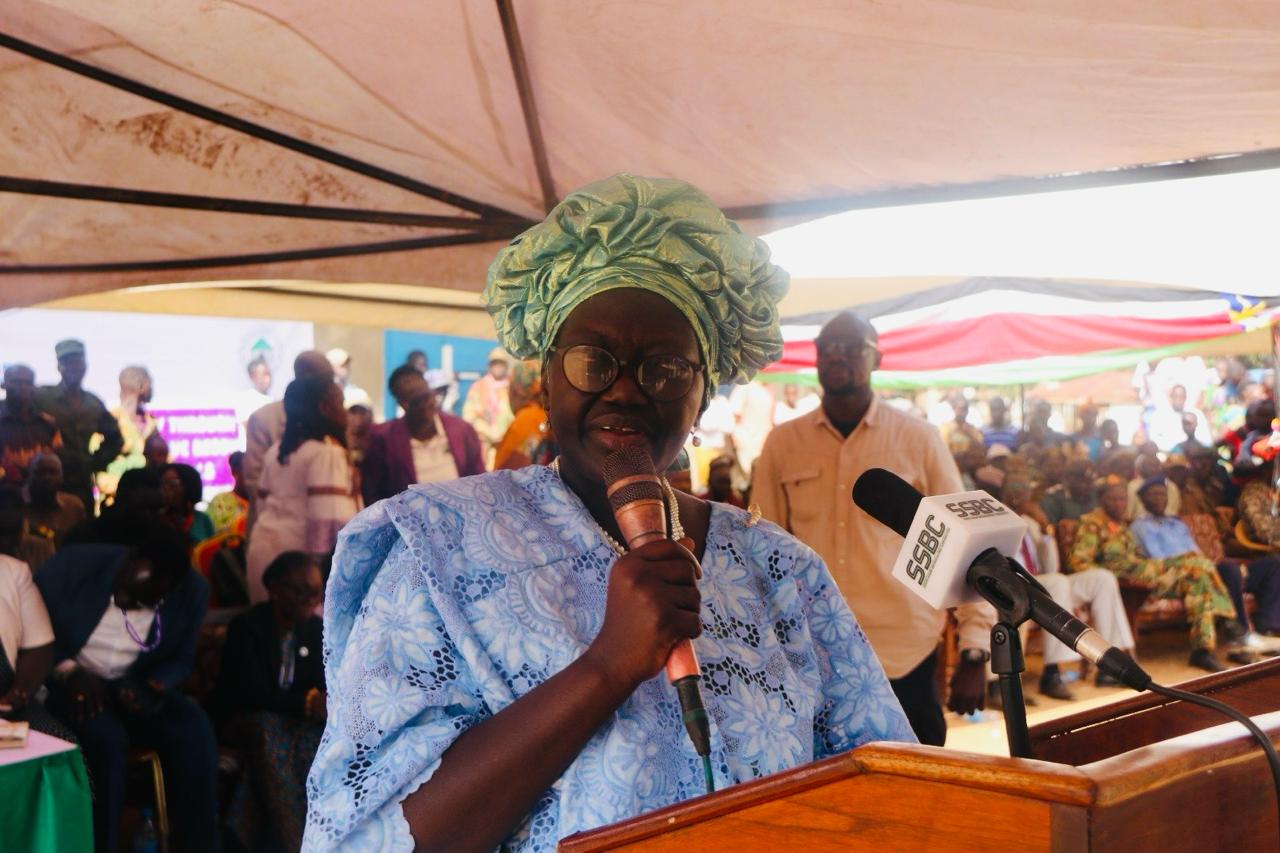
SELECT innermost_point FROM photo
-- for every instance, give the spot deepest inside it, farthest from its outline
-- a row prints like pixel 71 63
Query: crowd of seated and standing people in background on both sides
pixel 109 599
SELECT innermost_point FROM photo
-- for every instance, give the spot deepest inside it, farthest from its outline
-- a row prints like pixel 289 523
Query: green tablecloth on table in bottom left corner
pixel 45 804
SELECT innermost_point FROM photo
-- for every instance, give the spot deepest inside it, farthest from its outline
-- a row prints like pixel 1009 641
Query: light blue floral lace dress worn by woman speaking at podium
pixel 451 601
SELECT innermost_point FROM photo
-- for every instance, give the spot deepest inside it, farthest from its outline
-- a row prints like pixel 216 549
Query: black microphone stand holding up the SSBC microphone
pixel 989 576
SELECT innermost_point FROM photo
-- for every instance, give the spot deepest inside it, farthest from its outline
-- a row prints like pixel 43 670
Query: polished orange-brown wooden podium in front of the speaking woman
pixel 1145 774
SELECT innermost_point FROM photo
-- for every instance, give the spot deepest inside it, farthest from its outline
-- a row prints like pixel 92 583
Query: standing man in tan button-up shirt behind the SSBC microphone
pixel 804 481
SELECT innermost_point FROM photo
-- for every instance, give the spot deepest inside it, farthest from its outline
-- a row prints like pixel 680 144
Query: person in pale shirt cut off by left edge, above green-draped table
pixel 26 650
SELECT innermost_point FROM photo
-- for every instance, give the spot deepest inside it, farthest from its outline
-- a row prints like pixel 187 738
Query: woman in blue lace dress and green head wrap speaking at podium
pixel 495 655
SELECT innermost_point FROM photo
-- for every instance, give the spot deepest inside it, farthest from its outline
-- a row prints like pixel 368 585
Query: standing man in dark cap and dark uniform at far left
pixel 79 416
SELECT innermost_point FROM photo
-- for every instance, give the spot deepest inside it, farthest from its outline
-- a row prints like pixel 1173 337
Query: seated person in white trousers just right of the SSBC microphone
pixel 1095 589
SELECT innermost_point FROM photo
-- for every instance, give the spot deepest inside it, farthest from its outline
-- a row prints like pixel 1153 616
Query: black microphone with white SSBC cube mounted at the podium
pixel 957 553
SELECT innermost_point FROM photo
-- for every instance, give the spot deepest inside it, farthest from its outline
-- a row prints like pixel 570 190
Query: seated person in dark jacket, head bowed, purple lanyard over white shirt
pixel 126 622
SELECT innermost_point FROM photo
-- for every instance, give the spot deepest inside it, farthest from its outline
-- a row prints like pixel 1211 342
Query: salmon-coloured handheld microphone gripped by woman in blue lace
pixel 637 500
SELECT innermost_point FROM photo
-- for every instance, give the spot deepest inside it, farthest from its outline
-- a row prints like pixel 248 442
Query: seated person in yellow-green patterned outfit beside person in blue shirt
pixel 1105 541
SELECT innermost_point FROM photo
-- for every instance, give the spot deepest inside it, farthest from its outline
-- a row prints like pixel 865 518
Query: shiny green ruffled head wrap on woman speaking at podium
pixel 656 235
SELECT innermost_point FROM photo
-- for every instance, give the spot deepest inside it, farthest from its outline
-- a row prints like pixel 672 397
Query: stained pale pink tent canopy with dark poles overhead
pixel 783 112
